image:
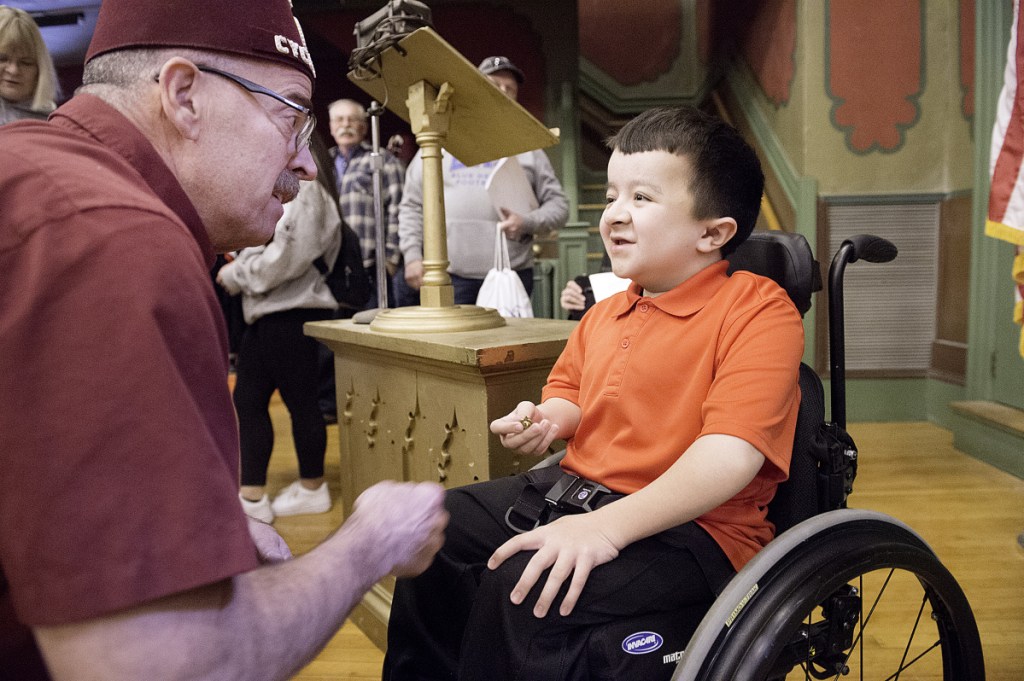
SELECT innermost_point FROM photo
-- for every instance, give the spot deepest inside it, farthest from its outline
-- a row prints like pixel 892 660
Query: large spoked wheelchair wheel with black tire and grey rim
pixel 858 595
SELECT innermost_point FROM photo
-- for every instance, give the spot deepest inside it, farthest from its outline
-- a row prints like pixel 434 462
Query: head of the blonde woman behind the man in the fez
pixel 28 79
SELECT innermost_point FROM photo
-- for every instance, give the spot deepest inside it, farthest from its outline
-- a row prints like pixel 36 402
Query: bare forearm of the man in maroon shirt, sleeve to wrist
pixel 266 624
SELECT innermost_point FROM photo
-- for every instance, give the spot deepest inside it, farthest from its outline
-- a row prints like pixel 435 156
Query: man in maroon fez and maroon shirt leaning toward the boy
pixel 124 552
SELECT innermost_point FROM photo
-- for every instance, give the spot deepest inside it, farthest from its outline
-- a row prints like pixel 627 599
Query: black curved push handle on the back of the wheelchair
pixel 862 247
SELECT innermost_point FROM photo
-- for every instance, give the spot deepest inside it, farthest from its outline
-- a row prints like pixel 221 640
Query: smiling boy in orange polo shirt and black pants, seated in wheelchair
pixel 678 401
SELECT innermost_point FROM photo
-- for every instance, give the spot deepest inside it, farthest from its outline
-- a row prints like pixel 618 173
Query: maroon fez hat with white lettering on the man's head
pixel 261 29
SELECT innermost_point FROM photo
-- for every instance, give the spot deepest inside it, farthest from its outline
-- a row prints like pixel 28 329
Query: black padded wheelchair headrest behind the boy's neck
pixel 785 258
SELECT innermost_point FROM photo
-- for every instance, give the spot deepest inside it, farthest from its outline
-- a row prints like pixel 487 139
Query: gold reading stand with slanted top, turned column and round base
pixel 449 104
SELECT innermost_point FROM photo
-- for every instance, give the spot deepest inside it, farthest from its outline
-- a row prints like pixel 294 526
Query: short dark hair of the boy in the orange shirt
pixel 728 179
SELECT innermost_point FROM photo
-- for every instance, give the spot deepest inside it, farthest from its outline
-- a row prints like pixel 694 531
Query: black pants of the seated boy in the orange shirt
pixel 456 620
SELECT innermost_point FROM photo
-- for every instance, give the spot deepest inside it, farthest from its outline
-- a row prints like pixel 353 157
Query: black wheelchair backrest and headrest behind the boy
pixel 821 471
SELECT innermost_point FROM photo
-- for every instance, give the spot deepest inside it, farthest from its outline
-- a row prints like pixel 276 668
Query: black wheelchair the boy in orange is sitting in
pixel 809 605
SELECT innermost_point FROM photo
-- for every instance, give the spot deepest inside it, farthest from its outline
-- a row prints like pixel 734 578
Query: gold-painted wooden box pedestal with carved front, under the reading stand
pixel 418 407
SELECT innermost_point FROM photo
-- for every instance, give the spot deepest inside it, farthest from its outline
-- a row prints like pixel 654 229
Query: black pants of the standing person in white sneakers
pixel 275 355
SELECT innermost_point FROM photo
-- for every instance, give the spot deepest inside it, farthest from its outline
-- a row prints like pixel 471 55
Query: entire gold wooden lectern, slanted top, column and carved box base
pixel 418 389
